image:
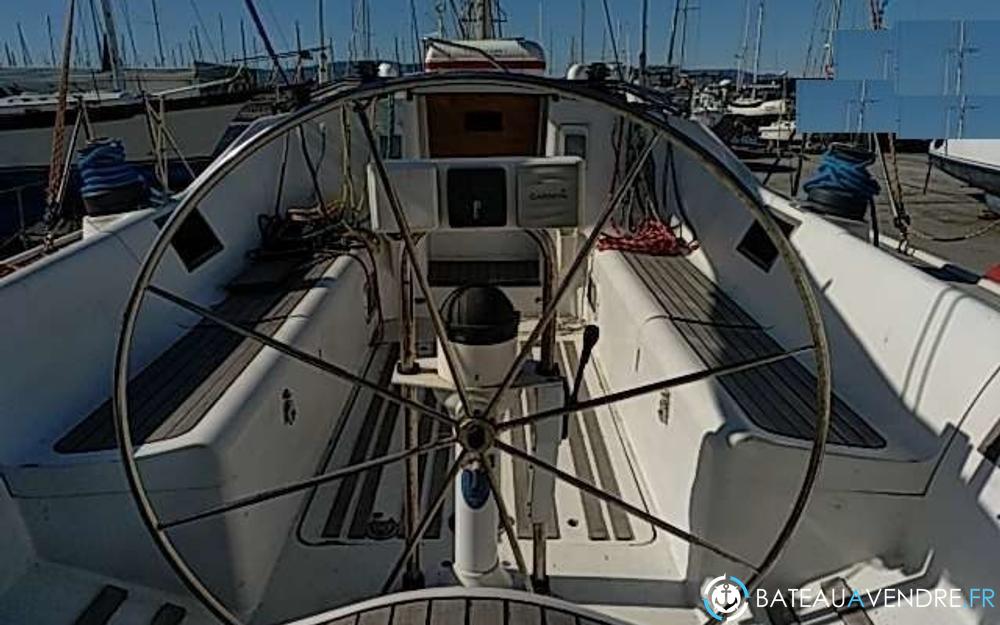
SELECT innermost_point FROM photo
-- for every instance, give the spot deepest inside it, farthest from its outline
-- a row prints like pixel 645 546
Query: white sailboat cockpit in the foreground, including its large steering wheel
pixel 347 370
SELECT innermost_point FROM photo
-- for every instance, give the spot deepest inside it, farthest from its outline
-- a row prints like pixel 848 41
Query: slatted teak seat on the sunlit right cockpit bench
pixel 779 398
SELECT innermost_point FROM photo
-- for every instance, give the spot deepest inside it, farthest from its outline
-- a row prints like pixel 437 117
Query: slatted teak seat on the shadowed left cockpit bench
pixel 171 395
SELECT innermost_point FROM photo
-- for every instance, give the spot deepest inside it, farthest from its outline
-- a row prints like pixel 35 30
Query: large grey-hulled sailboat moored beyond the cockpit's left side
pixel 171 122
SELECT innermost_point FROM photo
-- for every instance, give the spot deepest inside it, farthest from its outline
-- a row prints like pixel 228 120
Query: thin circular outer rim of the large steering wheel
pixel 334 100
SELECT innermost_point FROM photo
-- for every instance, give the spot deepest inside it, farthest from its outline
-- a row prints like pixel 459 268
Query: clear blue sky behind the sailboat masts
pixel 714 32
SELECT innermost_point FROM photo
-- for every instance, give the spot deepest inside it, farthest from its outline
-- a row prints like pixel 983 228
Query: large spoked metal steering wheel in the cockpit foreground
pixel 476 434
